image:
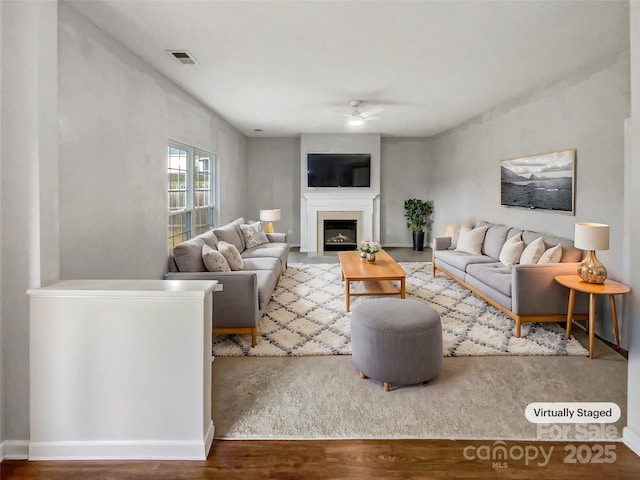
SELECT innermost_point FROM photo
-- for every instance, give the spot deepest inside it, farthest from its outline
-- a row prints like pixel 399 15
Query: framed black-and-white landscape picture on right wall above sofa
pixel 543 181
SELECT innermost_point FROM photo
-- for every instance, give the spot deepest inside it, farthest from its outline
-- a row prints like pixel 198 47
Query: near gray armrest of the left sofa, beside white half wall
pixel 237 304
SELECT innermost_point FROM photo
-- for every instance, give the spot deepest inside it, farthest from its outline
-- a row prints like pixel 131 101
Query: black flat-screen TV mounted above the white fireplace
pixel 339 169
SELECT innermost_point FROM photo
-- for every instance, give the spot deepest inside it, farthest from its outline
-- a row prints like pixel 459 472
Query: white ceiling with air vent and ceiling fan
pixel 291 67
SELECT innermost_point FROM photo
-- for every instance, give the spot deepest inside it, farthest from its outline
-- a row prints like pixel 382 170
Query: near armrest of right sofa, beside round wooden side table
pixel 534 290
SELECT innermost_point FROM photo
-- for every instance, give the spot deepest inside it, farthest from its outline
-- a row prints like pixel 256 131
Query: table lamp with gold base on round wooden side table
pixel 592 237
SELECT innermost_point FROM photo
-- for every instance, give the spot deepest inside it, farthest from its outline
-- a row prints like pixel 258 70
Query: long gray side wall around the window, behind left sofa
pixel 116 116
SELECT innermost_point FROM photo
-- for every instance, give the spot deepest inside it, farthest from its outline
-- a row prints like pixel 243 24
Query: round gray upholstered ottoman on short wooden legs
pixel 396 341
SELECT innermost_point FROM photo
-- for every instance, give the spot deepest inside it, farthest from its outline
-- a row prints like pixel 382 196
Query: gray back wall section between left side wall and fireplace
pixel 274 173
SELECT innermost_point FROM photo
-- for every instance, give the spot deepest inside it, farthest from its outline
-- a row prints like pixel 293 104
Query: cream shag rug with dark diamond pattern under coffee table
pixel 306 316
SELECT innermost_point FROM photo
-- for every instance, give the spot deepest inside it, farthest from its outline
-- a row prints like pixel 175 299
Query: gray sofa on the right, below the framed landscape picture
pixel 525 292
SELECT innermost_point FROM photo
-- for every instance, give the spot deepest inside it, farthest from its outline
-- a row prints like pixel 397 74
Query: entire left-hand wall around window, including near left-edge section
pixel 84 128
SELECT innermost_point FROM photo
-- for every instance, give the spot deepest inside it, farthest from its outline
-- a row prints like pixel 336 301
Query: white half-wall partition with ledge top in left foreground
pixel 121 369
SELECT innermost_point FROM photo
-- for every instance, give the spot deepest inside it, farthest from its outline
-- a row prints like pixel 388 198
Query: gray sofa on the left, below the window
pixel 237 309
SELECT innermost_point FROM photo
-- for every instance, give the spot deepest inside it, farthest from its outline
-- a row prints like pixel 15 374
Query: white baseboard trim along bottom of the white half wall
pixel 123 450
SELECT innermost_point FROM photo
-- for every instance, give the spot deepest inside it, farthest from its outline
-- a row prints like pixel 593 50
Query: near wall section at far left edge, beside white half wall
pixel 28 193
